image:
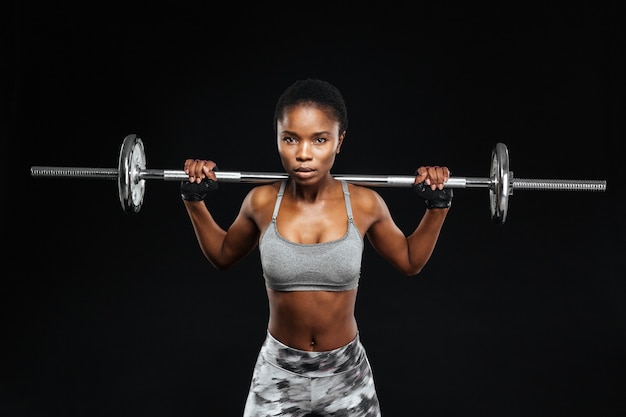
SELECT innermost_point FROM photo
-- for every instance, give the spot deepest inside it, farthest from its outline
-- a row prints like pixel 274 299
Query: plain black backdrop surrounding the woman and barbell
pixel 111 314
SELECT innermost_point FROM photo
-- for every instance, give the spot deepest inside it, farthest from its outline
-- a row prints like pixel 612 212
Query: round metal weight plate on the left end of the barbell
pixel 132 161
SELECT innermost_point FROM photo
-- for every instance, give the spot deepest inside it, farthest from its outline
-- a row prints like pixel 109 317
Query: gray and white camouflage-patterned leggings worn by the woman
pixel 289 382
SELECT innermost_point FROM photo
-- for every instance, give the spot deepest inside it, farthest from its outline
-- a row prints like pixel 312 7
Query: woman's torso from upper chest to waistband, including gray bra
pixel 311 257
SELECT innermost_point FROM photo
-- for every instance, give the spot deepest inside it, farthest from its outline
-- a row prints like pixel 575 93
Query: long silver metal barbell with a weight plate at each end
pixel 131 175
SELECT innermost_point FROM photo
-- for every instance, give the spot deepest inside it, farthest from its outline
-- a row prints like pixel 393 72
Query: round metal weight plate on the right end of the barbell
pixel 501 183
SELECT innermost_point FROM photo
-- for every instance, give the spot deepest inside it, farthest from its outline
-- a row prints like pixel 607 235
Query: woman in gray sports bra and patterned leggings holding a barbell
pixel 310 230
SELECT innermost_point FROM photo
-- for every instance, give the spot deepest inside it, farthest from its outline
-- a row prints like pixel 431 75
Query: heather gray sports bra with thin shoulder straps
pixel 326 266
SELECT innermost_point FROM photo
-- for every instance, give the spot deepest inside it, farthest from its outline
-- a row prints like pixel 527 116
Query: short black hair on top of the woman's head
pixel 316 92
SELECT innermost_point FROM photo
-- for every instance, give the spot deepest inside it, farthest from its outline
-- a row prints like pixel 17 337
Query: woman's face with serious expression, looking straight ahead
pixel 308 139
